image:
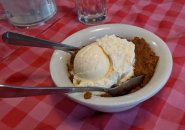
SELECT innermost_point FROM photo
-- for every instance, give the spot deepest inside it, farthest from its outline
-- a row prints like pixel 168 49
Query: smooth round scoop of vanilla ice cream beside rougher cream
pixel 91 63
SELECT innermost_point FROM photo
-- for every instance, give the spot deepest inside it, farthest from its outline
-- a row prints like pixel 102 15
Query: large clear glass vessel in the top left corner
pixel 28 12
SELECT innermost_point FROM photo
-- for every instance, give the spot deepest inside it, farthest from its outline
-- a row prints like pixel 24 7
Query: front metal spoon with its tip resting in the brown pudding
pixel 8 91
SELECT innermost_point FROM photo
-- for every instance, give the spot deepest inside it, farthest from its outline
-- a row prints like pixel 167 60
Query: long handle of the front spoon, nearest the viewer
pixel 8 91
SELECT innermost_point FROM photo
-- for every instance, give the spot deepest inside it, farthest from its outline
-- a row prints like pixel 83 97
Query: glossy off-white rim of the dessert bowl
pixel 130 98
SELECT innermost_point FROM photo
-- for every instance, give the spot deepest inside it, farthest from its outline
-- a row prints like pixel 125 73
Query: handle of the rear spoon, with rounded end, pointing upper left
pixel 24 40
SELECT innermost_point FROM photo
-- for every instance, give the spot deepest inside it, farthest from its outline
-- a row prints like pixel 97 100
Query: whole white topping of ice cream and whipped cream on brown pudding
pixel 106 62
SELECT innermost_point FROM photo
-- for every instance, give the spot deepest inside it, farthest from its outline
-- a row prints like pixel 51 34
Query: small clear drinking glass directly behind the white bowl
pixel 90 11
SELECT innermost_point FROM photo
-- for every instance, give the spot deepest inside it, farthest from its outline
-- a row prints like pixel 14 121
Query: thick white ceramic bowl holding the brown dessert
pixel 59 71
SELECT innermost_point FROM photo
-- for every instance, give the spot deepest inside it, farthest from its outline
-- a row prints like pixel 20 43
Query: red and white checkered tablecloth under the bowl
pixel 30 66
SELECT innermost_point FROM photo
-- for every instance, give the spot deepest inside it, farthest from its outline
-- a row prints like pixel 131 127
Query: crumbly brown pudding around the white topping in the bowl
pixel 145 64
